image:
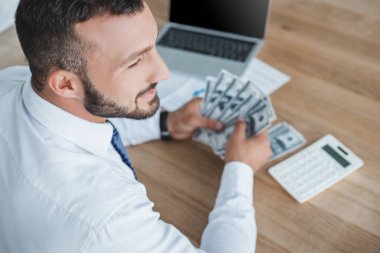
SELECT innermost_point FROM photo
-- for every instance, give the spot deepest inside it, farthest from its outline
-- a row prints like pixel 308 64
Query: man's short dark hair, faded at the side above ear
pixel 46 32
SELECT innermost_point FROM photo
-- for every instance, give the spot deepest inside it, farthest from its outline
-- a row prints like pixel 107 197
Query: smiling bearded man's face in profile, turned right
pixel 124 67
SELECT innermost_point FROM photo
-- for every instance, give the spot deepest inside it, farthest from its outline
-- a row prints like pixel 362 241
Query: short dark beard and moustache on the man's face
pixel 97 104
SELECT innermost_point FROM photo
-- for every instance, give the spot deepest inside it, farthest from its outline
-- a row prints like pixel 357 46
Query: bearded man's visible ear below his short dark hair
pixel 65 84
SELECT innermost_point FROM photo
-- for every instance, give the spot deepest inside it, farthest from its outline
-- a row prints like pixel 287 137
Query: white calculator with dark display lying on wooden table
pixel 315 168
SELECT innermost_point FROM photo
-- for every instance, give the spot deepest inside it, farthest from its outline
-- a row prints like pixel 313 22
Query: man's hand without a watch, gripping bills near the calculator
pixel 254 151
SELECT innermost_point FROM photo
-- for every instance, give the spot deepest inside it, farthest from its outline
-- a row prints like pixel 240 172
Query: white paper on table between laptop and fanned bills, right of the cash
pixel 266 77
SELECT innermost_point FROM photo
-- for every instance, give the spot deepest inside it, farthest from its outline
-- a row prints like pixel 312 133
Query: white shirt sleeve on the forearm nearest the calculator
pixel 232 225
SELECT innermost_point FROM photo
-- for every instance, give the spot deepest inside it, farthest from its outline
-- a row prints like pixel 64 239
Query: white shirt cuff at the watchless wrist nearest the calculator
pixel 237 179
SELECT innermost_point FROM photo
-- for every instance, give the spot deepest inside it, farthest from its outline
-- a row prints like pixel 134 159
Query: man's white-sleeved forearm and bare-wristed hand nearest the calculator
pixel 232 226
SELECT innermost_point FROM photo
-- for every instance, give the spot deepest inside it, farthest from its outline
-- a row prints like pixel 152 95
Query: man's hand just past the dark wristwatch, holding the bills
pixel 183 122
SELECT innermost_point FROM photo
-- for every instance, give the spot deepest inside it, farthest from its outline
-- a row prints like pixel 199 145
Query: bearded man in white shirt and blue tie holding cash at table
pixel 66 183
